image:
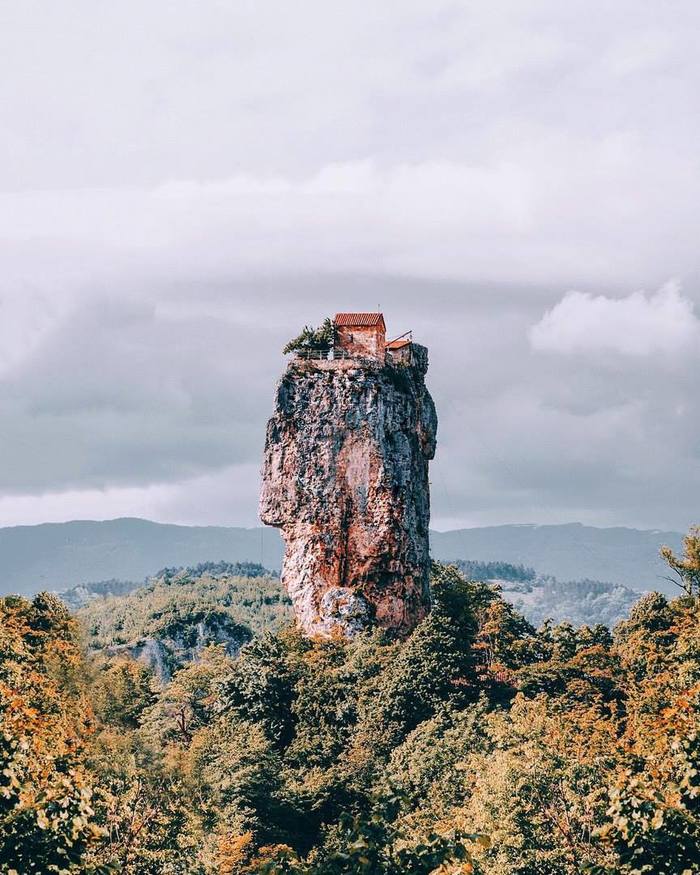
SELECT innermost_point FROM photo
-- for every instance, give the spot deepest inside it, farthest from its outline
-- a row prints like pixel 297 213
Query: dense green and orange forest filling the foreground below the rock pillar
pixel 479 744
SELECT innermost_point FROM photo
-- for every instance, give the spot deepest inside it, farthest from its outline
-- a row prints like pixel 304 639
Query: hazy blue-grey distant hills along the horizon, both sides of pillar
pixel 57 556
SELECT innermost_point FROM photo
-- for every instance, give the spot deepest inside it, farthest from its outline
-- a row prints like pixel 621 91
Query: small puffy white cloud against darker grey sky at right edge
pixel 638 325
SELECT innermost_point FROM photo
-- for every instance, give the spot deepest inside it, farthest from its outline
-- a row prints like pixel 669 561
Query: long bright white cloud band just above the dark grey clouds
pixel 527 215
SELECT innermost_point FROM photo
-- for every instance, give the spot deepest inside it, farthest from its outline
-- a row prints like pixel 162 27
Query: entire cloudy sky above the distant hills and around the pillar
pixel 184 184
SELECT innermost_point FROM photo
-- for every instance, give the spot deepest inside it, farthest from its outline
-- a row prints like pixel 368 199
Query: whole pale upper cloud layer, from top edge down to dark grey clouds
pixel 509 142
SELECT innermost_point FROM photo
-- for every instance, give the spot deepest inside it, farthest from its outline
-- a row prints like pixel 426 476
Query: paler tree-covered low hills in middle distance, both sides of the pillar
pixel 116 612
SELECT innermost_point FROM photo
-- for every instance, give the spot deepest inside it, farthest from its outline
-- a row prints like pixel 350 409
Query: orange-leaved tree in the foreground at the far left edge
pixel 46 797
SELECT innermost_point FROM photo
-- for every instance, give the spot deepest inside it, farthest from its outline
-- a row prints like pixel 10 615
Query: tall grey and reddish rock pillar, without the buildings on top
pixel 345 478
